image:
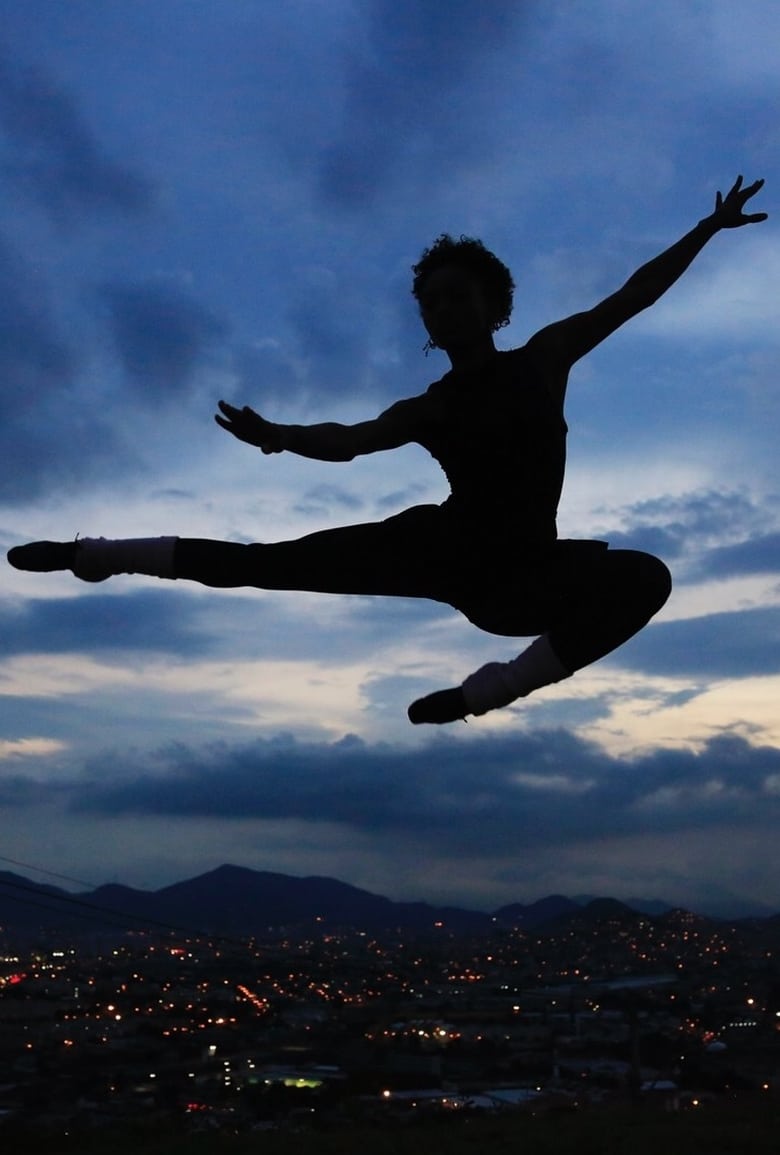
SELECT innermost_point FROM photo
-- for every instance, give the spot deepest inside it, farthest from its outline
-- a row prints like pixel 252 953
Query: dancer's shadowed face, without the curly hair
pixel 455 309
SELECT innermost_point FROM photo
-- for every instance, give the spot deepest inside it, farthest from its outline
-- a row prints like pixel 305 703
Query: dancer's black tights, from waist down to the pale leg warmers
pixel 588 599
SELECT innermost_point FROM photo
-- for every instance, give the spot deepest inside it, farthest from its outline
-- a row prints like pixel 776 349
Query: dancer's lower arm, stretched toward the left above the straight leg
pixel 329 442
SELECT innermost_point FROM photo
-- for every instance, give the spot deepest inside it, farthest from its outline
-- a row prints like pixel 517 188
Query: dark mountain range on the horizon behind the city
pixel 237 901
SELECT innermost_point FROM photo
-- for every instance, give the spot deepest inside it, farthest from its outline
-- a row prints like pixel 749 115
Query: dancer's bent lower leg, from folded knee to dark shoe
pixel 616 599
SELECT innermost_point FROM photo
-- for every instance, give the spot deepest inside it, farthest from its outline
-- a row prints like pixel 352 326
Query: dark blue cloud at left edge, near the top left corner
pixel 53 155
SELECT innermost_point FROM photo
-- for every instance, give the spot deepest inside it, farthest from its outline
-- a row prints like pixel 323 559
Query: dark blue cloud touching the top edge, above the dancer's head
pixel 404 94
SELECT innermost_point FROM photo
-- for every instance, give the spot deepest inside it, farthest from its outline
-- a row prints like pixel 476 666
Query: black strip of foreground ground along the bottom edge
pixel 715 1130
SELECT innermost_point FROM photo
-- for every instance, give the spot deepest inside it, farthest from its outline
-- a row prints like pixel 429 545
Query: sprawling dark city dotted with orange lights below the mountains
pixel 240 1024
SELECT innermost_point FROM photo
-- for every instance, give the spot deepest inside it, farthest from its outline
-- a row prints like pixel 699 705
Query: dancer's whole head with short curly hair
pixel 464 292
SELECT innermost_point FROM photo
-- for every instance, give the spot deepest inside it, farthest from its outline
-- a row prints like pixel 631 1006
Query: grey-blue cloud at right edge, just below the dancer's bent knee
pixel 718 646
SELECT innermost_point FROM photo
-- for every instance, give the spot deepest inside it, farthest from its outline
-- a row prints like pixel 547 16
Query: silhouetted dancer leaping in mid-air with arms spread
pixel 496 426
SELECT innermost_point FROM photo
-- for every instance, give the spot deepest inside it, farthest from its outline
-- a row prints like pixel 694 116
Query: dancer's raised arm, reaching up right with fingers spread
pixel 567 341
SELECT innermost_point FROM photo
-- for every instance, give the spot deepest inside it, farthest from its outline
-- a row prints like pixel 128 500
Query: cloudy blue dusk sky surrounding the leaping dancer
pixel 206 200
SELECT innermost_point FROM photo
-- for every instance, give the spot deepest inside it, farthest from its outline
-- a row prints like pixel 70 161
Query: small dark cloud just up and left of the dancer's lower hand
pixel 160 334
